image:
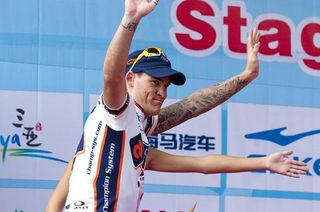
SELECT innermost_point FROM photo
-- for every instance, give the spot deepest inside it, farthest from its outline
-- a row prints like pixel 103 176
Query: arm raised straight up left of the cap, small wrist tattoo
pixel 114 89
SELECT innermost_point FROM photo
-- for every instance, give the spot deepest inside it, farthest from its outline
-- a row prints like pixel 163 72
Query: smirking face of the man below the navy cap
pixel 150 92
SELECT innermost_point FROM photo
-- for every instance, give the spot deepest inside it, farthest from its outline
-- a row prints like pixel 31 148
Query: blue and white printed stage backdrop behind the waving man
pixel 51 55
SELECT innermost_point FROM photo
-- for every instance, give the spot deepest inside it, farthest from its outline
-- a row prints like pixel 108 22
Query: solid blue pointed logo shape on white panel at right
pixel 275 136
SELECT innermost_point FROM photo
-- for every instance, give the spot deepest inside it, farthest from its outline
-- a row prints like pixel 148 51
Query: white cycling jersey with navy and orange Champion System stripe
pixel 108 169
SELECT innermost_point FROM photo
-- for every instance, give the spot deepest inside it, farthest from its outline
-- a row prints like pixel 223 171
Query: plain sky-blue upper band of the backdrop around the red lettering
pixel 72 37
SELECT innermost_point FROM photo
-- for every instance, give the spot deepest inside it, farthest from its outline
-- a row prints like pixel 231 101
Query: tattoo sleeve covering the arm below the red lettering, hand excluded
pixel 197 103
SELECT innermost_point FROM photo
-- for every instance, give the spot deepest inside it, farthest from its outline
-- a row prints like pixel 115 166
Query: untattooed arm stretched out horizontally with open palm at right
pixel 278 162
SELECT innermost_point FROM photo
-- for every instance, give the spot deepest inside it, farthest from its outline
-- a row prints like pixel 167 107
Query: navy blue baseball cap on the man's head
pixel 155 66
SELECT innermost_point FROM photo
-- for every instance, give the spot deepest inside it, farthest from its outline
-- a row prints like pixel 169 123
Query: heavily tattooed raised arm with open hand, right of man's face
pixel 205 99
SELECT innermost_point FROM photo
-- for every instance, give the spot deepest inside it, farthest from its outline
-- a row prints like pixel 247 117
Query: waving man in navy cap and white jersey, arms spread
pixel 107 172
